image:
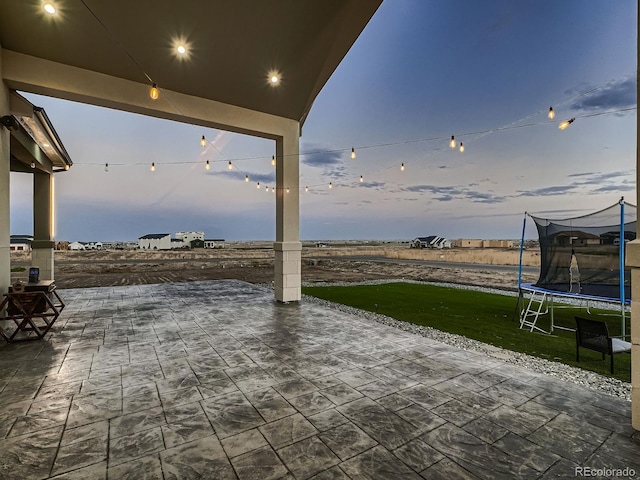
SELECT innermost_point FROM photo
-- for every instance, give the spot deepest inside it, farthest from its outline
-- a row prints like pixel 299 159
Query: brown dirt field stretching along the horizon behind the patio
pixel 253 263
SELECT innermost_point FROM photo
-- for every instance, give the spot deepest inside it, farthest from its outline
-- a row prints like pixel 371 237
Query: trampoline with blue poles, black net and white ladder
pixel 581 258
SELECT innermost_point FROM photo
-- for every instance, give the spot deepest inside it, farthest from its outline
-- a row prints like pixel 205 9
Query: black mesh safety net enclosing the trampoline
pixel 582 255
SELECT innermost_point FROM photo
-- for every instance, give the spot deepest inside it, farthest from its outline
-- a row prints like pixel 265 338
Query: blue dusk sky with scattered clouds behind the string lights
pixel 422 70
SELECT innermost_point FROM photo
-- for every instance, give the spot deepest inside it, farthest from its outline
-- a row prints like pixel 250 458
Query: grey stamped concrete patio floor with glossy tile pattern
pixel 215 380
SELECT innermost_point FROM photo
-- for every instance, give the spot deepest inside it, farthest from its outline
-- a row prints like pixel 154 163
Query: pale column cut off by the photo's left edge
pixel 5 258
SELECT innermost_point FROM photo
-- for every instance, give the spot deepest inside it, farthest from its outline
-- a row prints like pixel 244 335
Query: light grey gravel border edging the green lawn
pixel 558 370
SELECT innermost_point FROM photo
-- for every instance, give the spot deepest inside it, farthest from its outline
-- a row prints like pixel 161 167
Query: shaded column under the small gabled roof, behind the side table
pixel 42 248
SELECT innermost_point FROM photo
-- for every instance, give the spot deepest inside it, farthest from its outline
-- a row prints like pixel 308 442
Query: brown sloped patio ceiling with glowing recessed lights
pixel 231 45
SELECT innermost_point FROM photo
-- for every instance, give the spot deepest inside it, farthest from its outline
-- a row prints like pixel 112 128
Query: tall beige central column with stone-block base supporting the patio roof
pixel 287 247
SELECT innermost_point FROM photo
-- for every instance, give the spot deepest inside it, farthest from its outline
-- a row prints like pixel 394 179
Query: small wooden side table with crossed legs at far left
pixel 34 311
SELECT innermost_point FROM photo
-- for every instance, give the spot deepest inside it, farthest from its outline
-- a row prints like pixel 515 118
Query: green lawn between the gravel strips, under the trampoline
pixel 482 316
